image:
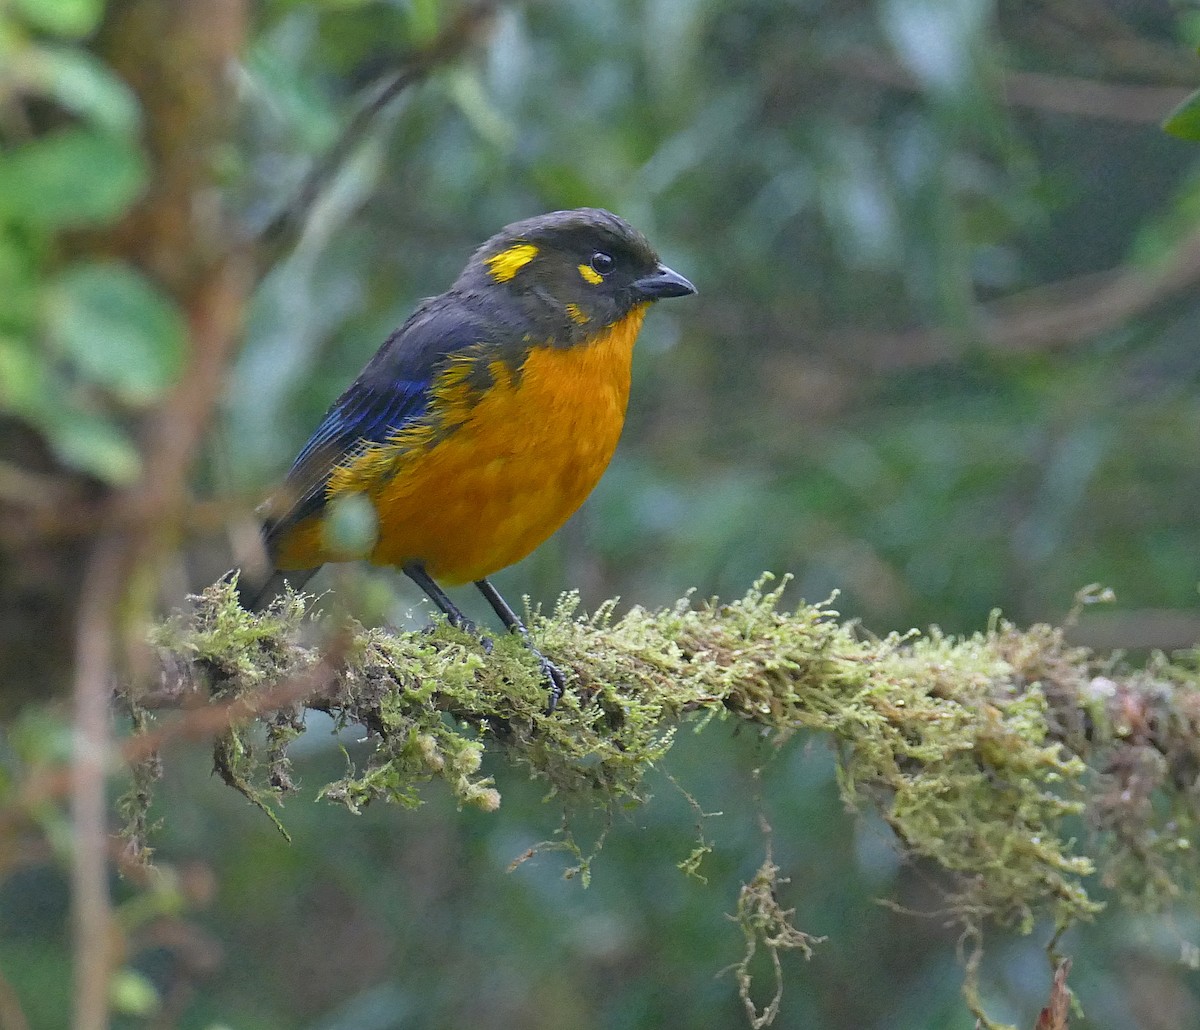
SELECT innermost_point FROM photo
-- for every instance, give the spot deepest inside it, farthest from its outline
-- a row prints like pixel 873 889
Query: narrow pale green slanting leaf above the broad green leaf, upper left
pixel 81 85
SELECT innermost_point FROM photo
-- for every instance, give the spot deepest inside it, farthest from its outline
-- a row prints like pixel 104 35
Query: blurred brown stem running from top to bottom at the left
pixel 211 284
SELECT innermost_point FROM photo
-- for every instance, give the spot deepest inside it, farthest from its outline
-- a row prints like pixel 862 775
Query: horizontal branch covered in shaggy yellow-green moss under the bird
pixel 989 756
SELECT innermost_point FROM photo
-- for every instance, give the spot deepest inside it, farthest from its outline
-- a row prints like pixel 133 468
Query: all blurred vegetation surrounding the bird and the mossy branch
pixel 944 361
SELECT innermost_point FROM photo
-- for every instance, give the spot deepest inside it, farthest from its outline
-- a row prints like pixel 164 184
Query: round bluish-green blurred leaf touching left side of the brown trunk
pixel 118 331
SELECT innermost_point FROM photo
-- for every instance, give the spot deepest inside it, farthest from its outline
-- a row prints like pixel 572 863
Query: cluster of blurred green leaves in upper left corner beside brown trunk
pixel 73 163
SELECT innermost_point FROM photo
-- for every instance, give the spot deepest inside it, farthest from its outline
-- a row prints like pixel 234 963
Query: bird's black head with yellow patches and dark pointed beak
pixel 573 273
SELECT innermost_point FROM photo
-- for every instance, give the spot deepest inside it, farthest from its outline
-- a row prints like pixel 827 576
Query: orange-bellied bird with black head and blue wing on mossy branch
pixel 483 423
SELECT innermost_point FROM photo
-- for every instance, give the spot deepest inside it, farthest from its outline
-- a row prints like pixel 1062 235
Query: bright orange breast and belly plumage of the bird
pixel 525 454
